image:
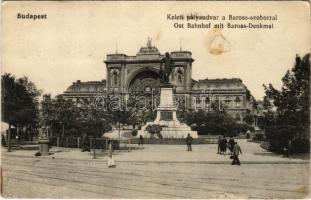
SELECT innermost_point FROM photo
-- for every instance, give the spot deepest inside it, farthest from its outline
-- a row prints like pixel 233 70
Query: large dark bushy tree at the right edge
pixel 287 111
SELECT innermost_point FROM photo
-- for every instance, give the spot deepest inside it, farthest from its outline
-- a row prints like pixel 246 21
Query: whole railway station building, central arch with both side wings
pixel 139 74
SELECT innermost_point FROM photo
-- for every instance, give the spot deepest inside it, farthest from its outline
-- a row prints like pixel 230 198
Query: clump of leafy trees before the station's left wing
pixel 69 118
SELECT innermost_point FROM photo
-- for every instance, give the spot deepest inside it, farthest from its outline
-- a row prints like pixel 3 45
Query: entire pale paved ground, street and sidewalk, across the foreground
pixel 78 176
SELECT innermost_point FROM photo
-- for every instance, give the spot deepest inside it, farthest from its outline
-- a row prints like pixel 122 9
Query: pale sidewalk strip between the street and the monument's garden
pixel 205 154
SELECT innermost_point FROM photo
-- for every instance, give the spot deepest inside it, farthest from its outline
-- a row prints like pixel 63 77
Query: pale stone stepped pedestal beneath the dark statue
pixel 166 117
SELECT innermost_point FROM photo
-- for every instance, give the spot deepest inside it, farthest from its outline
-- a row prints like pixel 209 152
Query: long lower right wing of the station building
pixel 231 95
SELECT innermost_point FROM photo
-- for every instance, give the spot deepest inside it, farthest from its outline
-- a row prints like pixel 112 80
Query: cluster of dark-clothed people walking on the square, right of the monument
pixel 234 148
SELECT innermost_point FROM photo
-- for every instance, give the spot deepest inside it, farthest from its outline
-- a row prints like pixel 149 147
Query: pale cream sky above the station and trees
pixel 72 43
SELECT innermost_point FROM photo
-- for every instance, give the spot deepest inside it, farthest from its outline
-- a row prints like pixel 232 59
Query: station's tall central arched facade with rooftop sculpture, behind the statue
pixel 144 68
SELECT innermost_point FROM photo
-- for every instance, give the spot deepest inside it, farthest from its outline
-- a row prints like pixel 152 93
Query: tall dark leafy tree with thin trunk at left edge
pixel 19 101
